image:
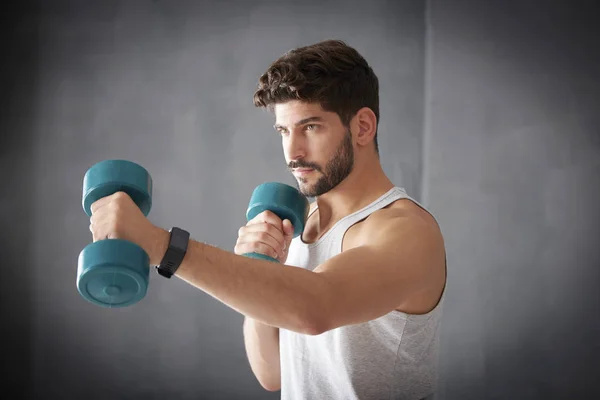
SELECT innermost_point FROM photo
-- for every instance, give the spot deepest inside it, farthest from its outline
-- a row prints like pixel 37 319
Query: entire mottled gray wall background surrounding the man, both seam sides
pixel 489 116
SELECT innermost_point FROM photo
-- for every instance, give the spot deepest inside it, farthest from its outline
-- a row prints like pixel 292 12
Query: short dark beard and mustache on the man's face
pixel 336 170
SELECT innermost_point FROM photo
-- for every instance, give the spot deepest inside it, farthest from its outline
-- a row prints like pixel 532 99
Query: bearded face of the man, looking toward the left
pixel 317 146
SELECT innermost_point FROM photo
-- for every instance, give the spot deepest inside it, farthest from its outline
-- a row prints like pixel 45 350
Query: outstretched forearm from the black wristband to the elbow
pixel 280 296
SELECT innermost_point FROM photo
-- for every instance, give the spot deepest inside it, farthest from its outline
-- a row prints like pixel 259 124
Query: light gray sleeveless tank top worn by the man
pixel 391 357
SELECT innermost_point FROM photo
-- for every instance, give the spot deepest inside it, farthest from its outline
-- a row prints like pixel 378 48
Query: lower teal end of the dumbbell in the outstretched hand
pixel 113 273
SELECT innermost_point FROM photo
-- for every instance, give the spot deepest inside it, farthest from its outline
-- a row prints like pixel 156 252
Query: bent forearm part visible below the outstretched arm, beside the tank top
pixel 262 348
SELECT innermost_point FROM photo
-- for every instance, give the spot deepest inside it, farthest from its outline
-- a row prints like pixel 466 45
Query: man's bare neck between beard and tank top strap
pixel 364 185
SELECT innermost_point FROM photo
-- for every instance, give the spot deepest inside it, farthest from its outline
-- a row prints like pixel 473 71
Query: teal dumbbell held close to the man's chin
pixel 284 201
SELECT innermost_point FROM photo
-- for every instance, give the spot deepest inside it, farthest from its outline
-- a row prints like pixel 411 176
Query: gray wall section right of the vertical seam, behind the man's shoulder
pixel 512 170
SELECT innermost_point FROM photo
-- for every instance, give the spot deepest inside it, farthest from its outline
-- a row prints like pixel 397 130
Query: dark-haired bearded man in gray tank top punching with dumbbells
pixel 354 311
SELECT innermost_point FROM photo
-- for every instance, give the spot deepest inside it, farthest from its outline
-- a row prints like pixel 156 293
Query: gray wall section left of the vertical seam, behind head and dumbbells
pixel 168 85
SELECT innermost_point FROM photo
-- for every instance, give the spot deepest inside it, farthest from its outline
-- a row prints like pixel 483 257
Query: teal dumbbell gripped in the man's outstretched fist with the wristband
pixel 113 272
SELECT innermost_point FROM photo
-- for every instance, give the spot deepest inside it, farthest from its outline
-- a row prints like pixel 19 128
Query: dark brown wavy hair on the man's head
pixel 330 73
